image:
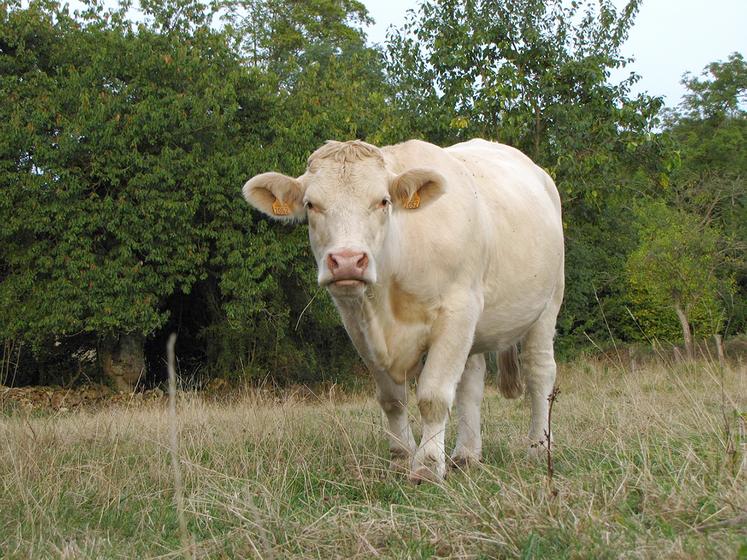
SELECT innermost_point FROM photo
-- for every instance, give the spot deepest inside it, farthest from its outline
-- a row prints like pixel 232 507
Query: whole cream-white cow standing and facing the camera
pixel 434 257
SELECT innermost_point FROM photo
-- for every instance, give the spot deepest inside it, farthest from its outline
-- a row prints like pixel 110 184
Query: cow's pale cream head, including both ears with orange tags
pixel 348 197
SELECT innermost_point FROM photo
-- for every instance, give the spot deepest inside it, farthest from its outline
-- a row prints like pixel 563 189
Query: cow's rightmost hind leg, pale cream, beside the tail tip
pixel 538 362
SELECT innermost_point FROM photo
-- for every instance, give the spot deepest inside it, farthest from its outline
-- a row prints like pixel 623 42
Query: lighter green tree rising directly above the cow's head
pixel 328 82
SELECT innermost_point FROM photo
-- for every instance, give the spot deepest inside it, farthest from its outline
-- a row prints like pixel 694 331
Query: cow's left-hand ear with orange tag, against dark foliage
pixel 277 195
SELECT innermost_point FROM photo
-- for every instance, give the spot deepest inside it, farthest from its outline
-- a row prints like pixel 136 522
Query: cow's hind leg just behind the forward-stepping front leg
pixel 468 448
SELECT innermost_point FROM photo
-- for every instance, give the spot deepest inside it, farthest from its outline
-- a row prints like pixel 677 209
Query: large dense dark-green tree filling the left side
pixel 115 152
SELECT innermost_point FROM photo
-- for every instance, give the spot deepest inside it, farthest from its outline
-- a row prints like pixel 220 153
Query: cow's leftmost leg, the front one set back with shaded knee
pixel 393 400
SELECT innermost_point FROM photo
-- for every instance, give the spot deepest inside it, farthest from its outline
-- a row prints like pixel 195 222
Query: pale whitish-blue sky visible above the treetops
pixel 669 38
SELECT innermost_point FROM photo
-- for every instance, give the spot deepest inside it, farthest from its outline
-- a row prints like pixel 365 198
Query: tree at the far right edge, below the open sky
pixel 709 131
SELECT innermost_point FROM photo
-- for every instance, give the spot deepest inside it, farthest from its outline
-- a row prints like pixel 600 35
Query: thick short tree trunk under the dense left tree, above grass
pixel 123 360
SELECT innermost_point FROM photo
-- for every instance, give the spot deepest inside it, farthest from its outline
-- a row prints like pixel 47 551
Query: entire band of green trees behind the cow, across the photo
pixel 127 132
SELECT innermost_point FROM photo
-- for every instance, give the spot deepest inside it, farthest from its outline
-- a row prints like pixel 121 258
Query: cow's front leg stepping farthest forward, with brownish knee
pixel 451 341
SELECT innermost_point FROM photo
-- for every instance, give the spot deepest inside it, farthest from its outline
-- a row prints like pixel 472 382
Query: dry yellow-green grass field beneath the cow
pixel 648 464
